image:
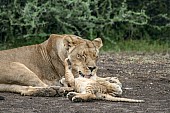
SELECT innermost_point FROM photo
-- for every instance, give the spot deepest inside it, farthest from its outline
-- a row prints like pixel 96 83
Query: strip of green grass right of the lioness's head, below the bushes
pixel 137 46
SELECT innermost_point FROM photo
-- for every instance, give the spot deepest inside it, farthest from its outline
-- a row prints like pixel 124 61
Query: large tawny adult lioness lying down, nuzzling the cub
pixel 36 69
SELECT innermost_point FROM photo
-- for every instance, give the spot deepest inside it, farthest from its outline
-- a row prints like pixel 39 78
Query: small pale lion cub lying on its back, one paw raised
pixel 88 89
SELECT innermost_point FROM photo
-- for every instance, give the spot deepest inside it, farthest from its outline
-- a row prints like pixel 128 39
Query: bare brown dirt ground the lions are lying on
pixel 144 76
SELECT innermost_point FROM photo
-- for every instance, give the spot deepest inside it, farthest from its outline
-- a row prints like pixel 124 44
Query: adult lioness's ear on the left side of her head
pixel 71 41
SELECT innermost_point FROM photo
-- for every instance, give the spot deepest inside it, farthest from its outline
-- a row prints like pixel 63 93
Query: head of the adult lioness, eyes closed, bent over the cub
pixel 83 55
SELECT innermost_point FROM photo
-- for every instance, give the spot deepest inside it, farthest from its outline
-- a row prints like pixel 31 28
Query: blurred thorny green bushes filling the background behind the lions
pixel 25 22
